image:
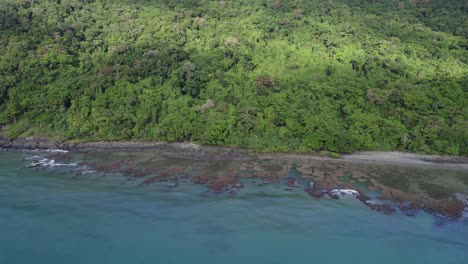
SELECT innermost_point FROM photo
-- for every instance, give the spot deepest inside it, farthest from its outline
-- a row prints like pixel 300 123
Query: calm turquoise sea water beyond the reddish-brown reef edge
pixel 52 216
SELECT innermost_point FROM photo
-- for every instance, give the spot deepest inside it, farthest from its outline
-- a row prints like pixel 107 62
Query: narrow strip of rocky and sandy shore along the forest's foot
pixel 213 153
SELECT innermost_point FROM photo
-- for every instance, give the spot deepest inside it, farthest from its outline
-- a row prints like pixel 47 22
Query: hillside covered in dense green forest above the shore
pixel 275 75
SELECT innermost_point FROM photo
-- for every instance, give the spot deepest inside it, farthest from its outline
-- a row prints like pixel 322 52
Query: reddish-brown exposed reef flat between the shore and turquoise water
pixel 388 186
